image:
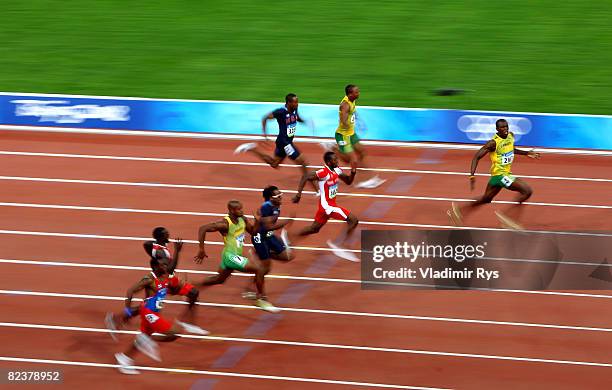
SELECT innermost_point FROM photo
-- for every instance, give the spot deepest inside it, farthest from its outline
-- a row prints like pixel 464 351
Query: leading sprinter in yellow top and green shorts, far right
pixel 501 150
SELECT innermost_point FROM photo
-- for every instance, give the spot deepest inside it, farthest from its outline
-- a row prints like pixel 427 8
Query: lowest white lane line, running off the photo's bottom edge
pixel 213 373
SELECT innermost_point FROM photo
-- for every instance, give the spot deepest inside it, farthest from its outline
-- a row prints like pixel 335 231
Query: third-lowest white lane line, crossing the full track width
pixel 332 312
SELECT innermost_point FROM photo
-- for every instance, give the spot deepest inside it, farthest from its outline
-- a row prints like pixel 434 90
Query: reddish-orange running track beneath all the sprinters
pixel 399 338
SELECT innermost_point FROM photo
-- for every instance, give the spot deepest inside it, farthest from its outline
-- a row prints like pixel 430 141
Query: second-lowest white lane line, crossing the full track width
pixel 335 346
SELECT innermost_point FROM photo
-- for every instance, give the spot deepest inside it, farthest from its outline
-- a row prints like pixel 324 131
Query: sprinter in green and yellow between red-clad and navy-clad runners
pixel 233 228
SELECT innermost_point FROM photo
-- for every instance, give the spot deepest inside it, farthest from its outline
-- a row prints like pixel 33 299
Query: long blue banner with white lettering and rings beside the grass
pixel 373 123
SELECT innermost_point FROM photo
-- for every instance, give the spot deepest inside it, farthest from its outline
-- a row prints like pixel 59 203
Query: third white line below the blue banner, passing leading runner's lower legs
pixel 247 189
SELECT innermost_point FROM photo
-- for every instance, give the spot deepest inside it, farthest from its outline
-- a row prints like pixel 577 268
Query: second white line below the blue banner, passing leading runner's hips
pixel 239 163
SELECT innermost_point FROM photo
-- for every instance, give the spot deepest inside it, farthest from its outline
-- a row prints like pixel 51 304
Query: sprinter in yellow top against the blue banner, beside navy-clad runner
pixel 349 146
